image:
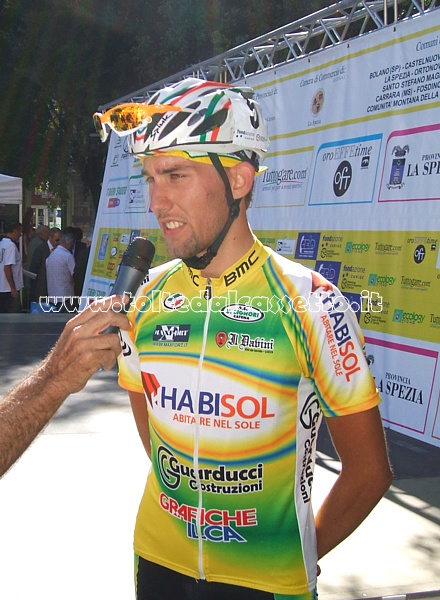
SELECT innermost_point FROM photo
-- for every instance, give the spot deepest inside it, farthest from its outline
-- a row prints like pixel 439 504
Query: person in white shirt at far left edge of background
pixel 11 270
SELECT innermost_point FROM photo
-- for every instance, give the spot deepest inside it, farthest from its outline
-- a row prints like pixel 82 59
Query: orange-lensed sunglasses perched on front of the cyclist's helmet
pixel 126 118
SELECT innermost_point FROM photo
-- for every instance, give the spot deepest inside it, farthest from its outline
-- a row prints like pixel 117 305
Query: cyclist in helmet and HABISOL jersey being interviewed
pixel 234 355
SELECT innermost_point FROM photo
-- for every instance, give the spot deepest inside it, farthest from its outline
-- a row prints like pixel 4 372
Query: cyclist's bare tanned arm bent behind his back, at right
pixel 365 476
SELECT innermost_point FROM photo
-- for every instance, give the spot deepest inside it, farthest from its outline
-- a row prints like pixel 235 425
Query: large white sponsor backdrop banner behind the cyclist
pixel 352 190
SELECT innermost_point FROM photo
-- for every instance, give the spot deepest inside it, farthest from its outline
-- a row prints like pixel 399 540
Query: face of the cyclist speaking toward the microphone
pixel 188 199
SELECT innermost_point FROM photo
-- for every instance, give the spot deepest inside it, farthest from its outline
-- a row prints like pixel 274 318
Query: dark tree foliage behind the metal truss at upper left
pixel 62 59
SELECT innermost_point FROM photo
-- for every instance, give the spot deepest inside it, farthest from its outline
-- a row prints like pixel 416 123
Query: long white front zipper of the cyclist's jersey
pixel 208 296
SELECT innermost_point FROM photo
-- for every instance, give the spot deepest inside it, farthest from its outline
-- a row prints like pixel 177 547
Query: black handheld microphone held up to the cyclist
pixel 133 269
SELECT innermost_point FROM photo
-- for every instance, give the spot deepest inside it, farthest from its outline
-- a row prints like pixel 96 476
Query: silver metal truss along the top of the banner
pixel 323 29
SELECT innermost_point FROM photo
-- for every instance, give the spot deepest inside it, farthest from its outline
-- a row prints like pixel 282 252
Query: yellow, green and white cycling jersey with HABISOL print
pixel 237 372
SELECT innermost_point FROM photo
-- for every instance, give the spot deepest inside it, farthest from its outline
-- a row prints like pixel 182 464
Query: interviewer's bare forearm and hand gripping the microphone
pixel 79 352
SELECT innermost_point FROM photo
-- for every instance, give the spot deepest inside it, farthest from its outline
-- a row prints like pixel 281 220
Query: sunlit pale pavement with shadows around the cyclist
pixel 67 507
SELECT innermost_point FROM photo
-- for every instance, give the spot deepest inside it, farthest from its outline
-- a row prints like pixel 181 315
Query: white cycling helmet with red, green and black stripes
pixel 195 117
